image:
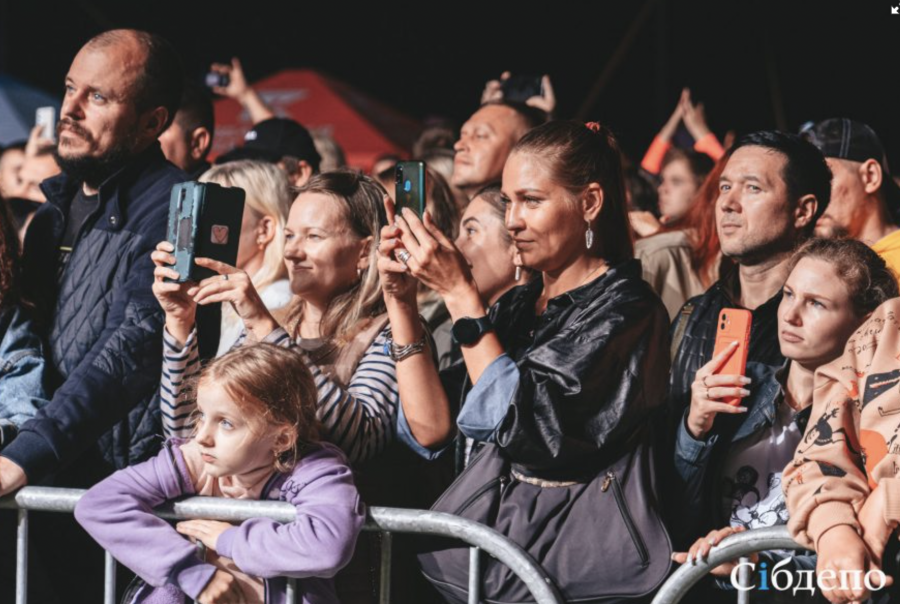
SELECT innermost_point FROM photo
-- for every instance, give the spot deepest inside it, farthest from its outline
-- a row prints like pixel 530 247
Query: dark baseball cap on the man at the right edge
pixel 843 138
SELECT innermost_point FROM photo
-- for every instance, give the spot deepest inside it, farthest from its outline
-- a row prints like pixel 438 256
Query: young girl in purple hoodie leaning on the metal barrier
pixel 255 437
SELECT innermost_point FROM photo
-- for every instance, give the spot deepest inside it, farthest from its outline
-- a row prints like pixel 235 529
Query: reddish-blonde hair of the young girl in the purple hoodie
pixel 274 384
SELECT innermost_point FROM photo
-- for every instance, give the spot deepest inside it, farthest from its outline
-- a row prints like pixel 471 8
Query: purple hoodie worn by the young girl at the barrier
pixel 117 513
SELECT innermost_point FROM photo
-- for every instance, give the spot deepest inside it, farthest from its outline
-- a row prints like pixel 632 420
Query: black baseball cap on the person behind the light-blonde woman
pixel 272 139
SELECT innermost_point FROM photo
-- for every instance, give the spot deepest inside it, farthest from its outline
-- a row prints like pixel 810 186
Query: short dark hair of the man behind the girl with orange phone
pixel 805 171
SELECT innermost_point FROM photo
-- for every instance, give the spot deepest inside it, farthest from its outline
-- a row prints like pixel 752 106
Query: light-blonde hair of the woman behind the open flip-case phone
pixel 268 193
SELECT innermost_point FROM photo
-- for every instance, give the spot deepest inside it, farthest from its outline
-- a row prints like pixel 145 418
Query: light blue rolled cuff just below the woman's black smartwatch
pixel 488 401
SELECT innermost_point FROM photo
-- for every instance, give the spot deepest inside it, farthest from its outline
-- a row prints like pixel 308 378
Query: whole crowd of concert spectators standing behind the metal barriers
pixel 534 351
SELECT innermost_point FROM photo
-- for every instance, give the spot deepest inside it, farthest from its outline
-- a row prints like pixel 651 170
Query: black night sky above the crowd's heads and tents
pixel 754 64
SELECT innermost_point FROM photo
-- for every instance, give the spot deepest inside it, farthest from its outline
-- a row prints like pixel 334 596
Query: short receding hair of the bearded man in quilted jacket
pixel 160 83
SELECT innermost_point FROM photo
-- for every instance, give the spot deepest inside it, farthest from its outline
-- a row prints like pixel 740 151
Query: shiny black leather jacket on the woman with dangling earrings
pixel 591 368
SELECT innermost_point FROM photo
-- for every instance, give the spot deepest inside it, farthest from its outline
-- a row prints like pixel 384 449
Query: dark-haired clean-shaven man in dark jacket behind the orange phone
pixel 773 189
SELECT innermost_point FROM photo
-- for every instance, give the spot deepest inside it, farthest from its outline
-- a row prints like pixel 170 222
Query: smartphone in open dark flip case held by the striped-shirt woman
pixel 204 222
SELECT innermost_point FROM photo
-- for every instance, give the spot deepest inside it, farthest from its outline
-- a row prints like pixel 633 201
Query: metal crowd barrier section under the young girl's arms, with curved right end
pixel 384 520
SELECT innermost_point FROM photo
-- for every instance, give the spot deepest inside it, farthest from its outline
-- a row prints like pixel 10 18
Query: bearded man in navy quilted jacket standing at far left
pixel 87 265
